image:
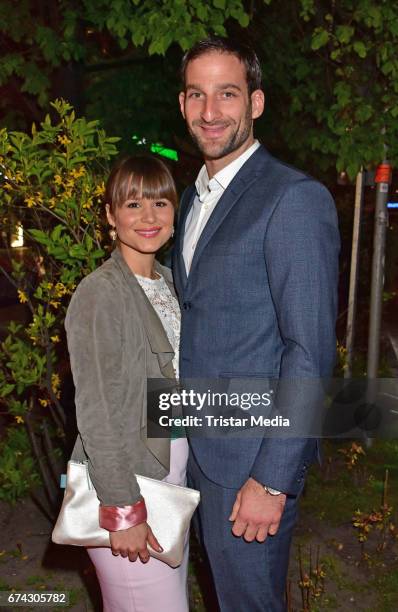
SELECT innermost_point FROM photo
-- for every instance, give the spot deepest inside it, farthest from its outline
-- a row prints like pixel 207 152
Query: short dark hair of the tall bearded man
pixel 218 44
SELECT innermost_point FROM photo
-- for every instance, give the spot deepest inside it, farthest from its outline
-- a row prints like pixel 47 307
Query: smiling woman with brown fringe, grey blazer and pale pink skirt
pixel 123 327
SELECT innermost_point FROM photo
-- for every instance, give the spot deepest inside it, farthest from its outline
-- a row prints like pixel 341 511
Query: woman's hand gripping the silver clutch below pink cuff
pixel 132 542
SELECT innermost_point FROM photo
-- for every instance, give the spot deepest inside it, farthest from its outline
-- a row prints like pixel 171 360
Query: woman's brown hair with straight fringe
pixel 139 177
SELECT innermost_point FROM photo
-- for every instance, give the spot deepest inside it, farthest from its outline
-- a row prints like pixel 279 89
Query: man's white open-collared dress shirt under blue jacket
pixel 208 193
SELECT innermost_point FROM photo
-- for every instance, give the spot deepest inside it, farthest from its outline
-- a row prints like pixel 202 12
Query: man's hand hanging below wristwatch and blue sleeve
pixel 256 513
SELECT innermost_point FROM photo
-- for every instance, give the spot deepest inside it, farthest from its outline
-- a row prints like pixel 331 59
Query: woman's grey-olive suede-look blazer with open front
pixel 116 341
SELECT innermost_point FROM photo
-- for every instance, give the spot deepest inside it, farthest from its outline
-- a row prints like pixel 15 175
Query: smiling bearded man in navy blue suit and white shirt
pixel 255 267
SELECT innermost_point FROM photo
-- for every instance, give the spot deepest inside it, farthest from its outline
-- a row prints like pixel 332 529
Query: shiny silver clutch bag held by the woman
pixel 169 507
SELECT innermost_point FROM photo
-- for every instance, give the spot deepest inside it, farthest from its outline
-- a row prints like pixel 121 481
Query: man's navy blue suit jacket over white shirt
pixel 260 301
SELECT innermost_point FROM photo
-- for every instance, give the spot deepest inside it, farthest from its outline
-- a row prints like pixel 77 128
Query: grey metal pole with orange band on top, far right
pixel 382 180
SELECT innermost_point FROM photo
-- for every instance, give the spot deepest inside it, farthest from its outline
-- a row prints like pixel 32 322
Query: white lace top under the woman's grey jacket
pixel 167 309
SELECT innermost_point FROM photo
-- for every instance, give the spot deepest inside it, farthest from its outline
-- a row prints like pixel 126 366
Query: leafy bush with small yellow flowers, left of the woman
pixel 52 183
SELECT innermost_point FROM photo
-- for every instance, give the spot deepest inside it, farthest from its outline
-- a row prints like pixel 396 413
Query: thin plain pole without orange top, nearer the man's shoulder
pixel 352 295
